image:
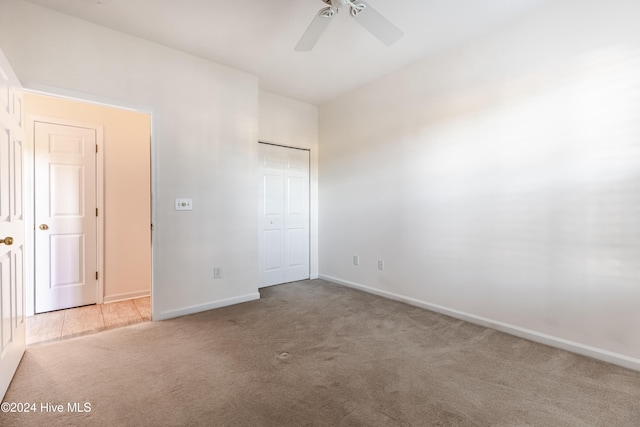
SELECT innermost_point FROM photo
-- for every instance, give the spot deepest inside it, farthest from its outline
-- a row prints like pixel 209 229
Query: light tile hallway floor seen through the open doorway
pixel 58 325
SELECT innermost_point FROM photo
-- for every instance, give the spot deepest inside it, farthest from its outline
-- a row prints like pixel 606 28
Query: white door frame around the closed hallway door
pixel 30 187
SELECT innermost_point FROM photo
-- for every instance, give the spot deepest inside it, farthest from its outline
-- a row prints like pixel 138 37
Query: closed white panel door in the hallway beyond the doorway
pixel 65 216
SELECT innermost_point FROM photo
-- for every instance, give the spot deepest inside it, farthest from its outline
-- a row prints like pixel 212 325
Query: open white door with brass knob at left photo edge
pixel 12 231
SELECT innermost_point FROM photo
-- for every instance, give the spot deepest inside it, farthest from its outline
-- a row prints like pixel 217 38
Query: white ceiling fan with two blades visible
pixel 361 11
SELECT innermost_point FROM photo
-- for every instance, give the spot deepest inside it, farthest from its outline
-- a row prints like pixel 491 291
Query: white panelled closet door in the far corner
pixel 284 215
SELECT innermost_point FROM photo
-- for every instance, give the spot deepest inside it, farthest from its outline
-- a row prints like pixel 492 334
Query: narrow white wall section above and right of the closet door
pixel 292 123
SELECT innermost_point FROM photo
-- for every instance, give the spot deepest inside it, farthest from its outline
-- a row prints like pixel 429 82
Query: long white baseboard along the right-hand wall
pixel 550 340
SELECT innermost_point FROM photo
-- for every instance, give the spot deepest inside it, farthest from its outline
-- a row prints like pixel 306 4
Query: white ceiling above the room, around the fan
pixel 259 36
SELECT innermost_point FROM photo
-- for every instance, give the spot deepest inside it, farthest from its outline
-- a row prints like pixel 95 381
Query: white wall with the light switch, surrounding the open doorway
pixel 205 128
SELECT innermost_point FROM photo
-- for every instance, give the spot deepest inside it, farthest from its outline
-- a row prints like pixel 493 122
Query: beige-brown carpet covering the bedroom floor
pixel 315 353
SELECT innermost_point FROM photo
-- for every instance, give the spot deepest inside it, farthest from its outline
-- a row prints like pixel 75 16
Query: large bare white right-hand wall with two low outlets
pixel 500 181
